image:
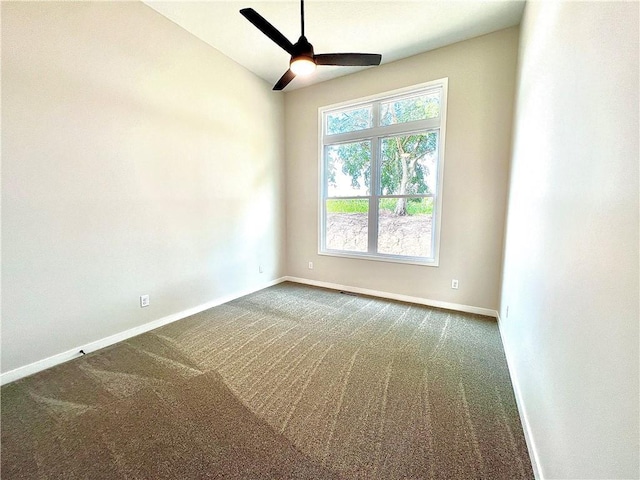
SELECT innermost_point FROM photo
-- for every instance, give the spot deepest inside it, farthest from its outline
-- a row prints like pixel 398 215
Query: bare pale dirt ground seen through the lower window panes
pixel 406 235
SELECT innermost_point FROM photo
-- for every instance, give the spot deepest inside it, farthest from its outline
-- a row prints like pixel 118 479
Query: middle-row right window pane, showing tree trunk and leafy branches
pixel 409 164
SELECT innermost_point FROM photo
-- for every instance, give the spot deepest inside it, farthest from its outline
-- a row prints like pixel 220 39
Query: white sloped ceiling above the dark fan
pixel 394 29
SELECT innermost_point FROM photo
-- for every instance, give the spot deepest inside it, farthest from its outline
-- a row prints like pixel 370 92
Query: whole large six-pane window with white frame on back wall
pixel 381 166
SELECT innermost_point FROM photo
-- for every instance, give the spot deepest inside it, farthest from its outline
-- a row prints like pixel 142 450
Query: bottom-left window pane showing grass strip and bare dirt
pixel 347 224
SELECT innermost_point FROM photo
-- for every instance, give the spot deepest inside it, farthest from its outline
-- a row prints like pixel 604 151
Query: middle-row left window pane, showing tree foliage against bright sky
pixel 348 169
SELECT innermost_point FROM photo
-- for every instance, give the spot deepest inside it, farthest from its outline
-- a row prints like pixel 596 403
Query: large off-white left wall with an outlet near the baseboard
pixel 135 160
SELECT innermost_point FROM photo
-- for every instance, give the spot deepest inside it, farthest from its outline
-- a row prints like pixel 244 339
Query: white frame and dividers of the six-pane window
pixel 375 134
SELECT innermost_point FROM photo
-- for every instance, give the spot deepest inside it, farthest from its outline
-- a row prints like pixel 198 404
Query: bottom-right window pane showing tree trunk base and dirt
pixel 404 226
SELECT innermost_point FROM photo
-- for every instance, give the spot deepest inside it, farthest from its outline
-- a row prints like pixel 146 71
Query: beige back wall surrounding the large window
pixel 481 76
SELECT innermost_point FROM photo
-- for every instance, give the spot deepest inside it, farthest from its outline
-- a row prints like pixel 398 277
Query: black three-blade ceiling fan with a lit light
pixel 303 59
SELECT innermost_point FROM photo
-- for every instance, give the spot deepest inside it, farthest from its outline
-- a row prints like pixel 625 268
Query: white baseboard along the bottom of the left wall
pixel 35 367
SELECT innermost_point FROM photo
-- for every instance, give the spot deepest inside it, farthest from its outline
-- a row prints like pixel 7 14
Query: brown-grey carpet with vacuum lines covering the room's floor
pixel 289 382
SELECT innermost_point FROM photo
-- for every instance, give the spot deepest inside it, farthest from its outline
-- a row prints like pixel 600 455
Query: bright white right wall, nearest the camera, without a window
pixel 571 257
